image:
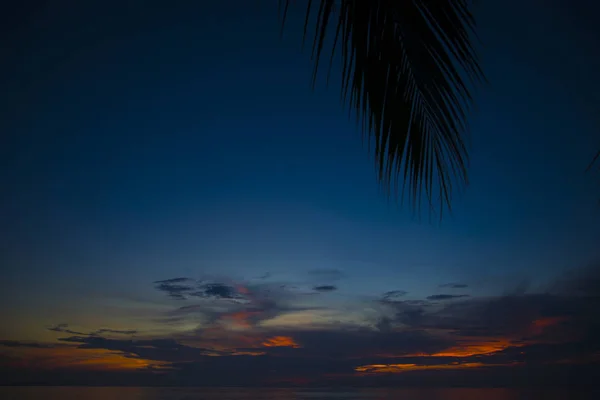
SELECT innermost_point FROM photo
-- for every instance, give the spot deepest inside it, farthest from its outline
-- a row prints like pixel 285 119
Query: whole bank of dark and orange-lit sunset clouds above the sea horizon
pixel 392 341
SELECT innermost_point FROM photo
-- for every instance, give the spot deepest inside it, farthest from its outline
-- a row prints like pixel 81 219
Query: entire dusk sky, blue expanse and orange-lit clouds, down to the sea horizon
pixel 178 206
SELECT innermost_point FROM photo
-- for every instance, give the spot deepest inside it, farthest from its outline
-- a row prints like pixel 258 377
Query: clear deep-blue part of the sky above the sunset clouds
pixel 157 142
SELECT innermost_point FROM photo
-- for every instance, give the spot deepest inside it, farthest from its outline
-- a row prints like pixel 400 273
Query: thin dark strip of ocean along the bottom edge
pixel 121 393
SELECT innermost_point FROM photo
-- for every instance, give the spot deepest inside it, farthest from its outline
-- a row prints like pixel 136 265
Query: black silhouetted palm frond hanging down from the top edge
pixel 406 69
